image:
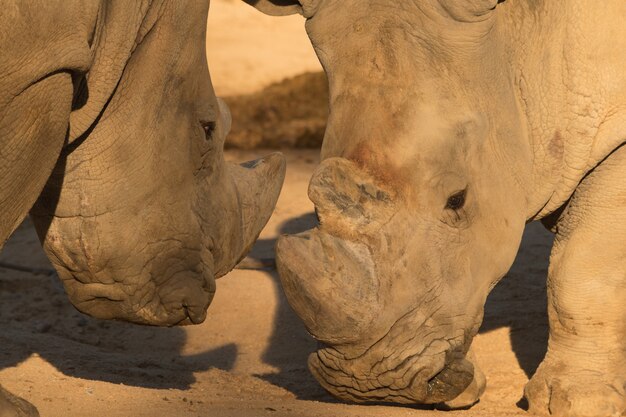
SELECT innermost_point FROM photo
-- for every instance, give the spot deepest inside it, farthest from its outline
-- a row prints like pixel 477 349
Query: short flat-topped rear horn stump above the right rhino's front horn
pixel 347 197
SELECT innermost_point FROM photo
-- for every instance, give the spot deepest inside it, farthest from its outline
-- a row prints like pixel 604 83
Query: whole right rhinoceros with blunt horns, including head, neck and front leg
pixel 452 124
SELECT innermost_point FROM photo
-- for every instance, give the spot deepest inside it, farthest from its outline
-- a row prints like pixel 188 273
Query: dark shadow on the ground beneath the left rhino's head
pixel 36 318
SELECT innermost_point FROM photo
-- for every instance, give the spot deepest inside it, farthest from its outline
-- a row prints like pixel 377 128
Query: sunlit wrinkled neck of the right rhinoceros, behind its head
pixel 567 62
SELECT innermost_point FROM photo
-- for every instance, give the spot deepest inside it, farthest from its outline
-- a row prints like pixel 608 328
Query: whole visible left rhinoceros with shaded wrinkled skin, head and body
pixel 112 137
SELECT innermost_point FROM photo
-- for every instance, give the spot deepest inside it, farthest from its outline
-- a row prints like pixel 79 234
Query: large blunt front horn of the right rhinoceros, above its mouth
pixel 330 283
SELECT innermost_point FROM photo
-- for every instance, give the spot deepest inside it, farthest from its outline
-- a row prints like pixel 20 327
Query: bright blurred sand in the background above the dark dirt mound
pixel 248 51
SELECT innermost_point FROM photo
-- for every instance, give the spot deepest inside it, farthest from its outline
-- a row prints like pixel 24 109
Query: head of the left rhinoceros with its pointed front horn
pixel 142 212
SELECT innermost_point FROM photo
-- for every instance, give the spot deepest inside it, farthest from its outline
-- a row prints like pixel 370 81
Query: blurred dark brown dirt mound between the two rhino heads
pixel 288 114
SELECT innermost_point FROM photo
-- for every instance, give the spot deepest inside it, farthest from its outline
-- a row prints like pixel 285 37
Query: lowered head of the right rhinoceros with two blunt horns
pixel 419 196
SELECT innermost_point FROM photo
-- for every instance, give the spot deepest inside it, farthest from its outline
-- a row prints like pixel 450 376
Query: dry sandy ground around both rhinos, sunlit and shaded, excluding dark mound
pixel 249 357
